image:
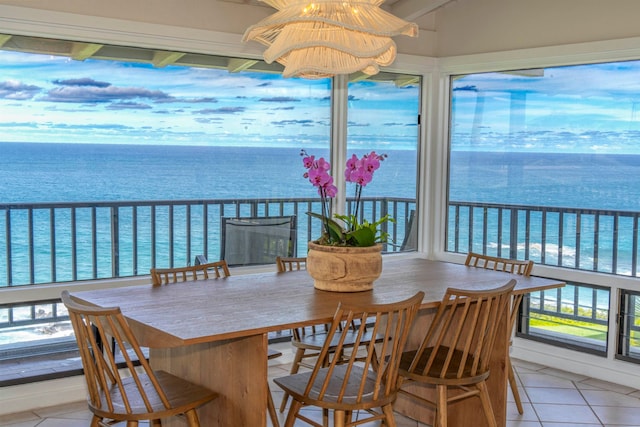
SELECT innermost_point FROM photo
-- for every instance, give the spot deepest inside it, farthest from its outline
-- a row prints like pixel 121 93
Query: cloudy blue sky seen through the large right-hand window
pixel 588 108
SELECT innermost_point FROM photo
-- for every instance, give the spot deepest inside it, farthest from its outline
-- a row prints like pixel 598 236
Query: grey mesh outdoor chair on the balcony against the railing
pixel 257 240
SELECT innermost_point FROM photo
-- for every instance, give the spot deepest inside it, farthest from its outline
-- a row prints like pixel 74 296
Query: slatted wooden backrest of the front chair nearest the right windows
pixel 460 340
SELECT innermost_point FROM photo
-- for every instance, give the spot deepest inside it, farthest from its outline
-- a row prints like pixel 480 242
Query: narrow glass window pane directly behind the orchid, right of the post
pixel 383 117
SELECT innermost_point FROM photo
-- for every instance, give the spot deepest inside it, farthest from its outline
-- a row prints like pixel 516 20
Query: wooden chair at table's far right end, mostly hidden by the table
pixel 513 266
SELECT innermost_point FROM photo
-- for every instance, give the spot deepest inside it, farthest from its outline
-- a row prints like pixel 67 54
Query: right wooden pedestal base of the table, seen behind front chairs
pixel 467 412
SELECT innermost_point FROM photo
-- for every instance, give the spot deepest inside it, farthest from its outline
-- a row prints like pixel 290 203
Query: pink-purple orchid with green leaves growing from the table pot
pixel 350 232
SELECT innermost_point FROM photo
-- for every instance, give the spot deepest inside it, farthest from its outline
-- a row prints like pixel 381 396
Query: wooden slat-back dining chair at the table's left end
pixel 125 391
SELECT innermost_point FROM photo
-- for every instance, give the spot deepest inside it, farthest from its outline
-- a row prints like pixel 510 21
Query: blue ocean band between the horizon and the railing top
pixel 35 172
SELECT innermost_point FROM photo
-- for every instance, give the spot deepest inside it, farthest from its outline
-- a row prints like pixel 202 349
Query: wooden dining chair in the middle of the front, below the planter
pixel 367 385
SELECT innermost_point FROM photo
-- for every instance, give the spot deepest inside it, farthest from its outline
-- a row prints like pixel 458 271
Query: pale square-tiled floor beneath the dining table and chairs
pixel 551 398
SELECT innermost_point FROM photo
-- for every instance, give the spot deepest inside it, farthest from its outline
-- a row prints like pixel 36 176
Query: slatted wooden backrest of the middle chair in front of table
pixel 373 376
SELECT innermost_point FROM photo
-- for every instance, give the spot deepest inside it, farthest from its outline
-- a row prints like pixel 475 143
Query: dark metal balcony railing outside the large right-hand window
pixel 604 241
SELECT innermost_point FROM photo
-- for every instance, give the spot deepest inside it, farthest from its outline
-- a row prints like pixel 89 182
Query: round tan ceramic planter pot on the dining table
pixel 344 269
